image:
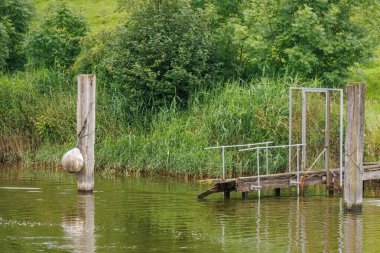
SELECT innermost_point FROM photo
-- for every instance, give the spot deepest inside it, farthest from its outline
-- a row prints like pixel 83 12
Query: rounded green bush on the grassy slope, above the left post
pixel 54 41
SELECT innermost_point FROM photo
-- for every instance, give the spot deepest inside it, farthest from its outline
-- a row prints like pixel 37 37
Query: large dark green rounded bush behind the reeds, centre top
pixel 163 53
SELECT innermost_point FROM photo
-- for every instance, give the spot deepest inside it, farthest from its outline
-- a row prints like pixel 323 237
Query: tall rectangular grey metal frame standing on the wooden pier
pixel 327 119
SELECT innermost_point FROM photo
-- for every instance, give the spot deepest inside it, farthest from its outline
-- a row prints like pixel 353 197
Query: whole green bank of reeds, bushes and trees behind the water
pixel 156 112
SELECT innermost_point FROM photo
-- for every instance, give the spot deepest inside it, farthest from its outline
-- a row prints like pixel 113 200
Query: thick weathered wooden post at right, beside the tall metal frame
pixel 353 178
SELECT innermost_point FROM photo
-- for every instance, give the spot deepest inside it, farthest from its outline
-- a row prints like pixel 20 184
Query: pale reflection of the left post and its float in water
pixel 78 226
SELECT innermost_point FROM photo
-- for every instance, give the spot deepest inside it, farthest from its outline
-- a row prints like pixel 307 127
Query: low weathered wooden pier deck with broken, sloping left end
pixel 286 180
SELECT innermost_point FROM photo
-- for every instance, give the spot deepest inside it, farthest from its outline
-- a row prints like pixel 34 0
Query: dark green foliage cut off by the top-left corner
pixel 15 16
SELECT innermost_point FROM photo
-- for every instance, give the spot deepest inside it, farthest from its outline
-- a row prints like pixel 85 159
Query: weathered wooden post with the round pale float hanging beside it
pixel 86 130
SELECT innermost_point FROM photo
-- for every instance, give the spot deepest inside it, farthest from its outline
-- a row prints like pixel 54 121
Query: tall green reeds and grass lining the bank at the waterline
pixel 37 112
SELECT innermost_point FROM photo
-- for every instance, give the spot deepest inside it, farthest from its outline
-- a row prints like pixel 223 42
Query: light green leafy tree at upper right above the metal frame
pixel 310 38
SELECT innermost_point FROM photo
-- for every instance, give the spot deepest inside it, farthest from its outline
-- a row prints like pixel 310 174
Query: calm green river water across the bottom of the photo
pixel 46 214
